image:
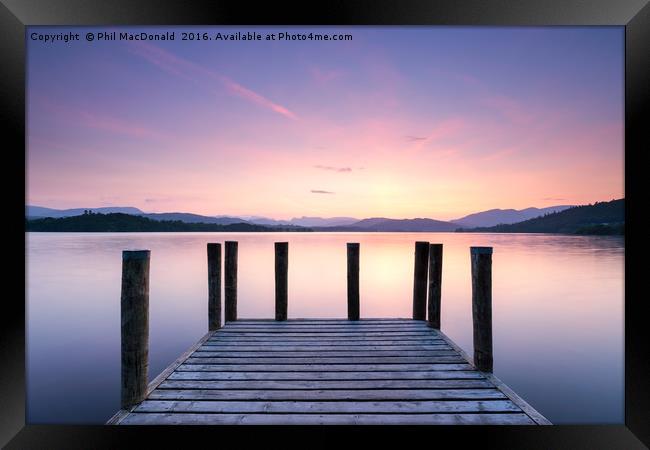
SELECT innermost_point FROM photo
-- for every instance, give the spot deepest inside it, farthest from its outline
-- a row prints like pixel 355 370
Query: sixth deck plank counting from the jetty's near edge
pixel 209 367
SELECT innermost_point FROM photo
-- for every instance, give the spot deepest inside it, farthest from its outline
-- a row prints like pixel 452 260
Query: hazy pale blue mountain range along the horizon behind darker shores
pixel 488 218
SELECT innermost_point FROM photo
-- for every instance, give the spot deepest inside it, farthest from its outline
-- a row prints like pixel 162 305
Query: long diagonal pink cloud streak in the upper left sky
pixel 197 73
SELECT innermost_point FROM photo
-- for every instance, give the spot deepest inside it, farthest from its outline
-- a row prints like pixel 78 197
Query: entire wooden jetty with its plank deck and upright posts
pixel 318 371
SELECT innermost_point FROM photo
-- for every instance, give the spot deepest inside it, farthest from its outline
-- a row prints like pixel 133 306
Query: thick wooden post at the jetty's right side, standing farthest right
pixel 482 306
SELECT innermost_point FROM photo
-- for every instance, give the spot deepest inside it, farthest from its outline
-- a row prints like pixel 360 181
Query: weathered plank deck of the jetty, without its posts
pixel 327 371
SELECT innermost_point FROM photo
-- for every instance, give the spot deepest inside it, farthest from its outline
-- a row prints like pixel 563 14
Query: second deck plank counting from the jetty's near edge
pixel 338 407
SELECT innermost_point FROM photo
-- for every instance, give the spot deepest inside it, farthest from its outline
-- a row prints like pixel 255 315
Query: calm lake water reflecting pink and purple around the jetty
pixel 558 305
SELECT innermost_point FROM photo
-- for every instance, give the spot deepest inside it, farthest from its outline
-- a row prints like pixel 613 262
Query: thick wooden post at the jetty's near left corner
pixel 134 310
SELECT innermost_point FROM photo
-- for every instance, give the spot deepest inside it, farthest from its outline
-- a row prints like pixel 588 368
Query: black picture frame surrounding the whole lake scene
pixel 634 15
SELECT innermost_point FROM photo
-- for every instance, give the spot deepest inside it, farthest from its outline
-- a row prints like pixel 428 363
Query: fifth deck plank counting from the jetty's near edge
pixel 383 375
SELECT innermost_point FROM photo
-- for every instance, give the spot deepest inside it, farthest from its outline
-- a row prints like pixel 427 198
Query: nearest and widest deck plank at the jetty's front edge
pixel 327 419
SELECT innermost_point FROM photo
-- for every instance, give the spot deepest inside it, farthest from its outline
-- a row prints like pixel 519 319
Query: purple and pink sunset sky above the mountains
pixel 400 122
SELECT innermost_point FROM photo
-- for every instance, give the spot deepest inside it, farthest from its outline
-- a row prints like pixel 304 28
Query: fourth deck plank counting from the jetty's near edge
pixel 324 384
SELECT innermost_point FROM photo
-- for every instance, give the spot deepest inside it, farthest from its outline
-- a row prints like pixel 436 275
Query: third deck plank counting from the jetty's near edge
pixel 332 394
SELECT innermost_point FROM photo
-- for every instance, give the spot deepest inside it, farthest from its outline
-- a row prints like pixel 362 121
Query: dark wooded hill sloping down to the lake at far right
pixel 598 218
